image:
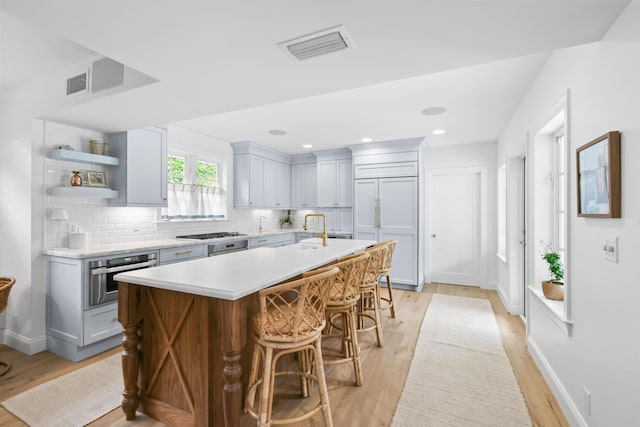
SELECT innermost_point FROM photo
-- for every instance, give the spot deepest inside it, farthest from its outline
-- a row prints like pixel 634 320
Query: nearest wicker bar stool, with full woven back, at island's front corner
pixel 290 320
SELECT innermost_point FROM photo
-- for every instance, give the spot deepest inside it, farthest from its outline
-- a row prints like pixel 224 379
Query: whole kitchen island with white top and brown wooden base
pixel 187 341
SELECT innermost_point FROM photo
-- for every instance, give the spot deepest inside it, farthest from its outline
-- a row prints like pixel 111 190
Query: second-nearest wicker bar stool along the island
pixel 344 295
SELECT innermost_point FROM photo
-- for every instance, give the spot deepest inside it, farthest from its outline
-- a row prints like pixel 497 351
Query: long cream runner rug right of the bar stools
pixel 460 374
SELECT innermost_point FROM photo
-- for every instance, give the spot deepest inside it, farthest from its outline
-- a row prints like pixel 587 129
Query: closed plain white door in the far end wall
pixel 455 232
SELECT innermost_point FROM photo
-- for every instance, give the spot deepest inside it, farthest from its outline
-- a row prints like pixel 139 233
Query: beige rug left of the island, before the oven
pixel 74 399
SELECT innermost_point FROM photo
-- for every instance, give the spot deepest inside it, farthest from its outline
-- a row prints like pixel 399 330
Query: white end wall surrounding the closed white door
pixel 465 156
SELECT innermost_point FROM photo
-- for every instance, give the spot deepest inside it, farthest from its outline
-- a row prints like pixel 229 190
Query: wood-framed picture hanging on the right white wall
pixel 598 169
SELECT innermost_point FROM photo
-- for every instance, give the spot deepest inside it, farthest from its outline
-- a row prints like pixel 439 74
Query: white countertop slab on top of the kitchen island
pixel 237 274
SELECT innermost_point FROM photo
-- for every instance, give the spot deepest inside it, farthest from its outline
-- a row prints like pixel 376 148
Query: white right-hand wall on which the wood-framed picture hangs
pixel 601 353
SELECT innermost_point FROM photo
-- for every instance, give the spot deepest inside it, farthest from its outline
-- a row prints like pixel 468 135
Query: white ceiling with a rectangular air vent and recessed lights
pixel 218 61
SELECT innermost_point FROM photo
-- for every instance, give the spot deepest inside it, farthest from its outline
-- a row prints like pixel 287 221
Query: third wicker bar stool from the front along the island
pixel 369 292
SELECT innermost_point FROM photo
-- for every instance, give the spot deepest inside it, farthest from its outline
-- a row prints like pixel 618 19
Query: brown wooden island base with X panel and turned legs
pixel 185 358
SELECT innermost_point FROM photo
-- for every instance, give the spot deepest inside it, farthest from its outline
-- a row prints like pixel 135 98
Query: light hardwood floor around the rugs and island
pixel 385 369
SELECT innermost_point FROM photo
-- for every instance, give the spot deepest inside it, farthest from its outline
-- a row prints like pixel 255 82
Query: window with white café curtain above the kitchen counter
pixel 195 190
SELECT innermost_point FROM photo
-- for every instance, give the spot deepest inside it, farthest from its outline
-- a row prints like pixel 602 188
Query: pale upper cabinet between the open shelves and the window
pixel 141 177
